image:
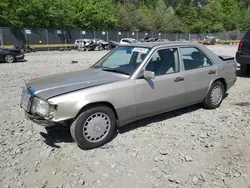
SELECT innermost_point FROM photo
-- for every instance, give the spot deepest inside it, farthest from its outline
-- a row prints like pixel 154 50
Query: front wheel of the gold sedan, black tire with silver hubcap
pixel 94 127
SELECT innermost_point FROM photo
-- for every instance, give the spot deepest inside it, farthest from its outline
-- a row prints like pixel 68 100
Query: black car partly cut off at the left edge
pixel 11 55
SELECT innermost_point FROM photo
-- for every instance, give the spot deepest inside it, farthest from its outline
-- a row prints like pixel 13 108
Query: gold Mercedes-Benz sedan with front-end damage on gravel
pixel 131 82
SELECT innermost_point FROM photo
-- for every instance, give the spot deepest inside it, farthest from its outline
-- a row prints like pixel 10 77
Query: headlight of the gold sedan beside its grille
pixel 41 107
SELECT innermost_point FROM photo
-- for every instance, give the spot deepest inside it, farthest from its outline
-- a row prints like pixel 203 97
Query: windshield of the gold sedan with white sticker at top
pixel 123 60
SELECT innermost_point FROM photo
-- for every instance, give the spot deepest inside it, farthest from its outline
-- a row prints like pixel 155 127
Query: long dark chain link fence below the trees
pixel 49 37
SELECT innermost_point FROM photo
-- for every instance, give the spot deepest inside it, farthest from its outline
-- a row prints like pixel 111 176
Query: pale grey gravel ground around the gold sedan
pixel 191 147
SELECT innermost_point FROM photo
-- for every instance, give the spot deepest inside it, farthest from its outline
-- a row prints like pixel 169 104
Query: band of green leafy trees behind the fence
pixel 192 16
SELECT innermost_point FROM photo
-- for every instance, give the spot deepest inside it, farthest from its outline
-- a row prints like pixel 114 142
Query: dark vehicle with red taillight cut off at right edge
pixel 243 54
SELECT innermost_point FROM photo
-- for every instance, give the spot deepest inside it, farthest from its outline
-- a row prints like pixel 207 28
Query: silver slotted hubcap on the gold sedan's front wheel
pixel 96 127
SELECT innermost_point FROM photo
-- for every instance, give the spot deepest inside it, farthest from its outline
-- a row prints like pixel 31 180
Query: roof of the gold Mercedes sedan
pixel 161 44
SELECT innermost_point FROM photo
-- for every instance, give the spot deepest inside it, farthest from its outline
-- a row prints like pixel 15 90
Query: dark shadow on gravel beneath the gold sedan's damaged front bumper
pixel 57 135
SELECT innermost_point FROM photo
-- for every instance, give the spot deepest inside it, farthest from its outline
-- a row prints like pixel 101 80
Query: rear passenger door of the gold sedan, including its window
pixel 198 73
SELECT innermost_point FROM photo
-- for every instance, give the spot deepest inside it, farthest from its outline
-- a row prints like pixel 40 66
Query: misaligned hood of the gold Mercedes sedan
pixel 57 84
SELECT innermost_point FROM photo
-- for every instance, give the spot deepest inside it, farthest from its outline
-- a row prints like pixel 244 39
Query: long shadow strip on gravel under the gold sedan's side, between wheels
pixel 157 118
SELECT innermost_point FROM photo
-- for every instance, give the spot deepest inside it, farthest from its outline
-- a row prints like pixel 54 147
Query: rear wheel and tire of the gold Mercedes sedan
pixel 215 96
